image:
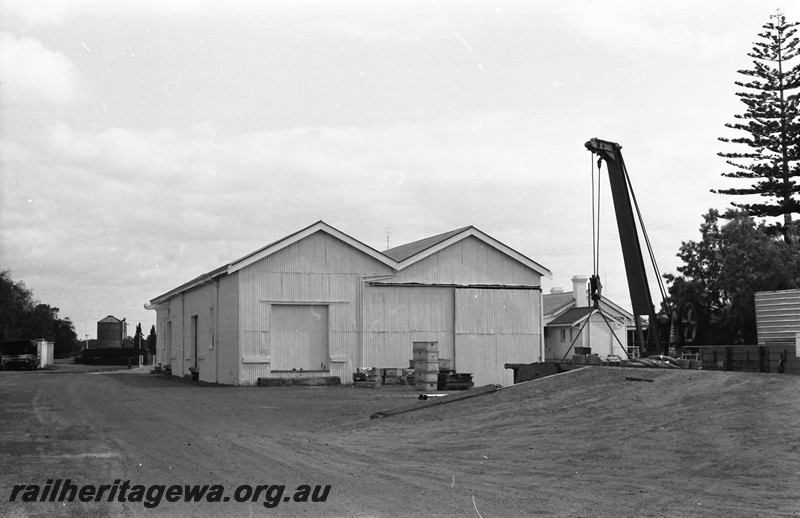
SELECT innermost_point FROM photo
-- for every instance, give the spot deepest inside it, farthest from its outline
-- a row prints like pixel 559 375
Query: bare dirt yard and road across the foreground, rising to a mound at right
pixel 585 443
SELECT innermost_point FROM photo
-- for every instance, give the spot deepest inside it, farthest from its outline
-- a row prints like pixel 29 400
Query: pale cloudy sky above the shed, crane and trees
pixel 145 143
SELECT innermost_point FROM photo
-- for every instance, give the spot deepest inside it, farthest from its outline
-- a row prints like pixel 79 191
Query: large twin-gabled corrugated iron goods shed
pixel 321 303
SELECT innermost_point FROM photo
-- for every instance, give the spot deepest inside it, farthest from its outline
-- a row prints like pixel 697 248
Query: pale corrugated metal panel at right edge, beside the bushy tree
pixel 777 315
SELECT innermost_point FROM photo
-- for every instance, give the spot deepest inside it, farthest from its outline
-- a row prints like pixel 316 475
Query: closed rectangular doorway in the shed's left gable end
pixel 299 337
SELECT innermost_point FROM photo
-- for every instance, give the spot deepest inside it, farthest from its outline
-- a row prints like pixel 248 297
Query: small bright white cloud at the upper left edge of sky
pixel 31 73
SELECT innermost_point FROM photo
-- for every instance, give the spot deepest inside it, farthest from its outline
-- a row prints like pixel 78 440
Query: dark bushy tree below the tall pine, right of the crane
pixel 722 272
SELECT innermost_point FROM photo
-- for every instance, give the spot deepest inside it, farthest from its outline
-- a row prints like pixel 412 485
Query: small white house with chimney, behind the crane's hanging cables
pixel 571 320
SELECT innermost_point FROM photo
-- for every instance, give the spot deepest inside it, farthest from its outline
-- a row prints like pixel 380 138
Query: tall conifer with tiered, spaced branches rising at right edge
pixel 772 124
